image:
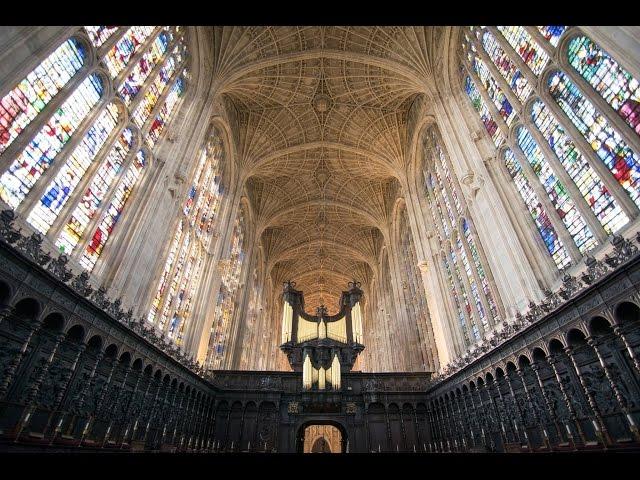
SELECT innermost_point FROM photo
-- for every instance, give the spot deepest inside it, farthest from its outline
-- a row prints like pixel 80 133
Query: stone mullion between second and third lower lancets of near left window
pixel 60 160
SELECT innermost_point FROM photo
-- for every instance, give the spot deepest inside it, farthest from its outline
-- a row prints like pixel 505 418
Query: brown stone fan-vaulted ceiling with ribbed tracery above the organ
pixel 322 141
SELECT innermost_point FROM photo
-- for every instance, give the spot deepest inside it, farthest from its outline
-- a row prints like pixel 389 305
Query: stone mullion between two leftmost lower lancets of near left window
pixel 30 131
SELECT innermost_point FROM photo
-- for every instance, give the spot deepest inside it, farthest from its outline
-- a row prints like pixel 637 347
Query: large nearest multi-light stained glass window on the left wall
pixel 73 159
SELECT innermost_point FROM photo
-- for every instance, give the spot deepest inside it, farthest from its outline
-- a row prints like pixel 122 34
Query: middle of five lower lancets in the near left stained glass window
pixel 63 185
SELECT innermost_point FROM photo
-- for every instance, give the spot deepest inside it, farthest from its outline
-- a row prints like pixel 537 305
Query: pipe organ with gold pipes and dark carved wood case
pixel 322 346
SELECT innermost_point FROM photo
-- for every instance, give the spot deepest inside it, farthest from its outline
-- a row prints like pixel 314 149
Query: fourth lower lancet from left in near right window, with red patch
pixel 619 158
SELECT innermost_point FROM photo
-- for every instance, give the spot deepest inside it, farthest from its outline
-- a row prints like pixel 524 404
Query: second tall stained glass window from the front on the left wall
pixel 172 305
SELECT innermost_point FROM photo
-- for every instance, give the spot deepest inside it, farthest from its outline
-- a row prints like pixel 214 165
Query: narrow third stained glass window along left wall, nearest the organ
pixel 227 302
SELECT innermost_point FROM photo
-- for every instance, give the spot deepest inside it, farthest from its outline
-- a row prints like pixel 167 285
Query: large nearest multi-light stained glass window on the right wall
pixel 575 172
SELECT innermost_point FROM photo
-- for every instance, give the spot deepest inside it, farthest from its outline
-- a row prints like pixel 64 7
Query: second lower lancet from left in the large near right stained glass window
pixel 557 192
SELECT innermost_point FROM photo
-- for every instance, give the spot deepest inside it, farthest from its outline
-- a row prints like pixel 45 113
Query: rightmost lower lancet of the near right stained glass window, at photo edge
pixel 616 85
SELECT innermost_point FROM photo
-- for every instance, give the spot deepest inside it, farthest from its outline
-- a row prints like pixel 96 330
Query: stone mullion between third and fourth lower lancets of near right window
pixel 617 191
